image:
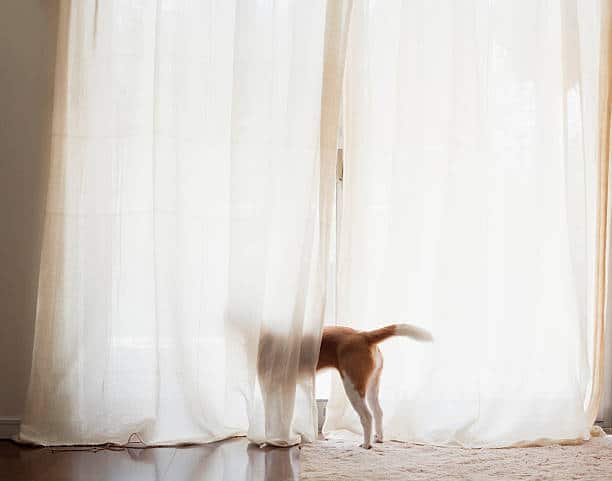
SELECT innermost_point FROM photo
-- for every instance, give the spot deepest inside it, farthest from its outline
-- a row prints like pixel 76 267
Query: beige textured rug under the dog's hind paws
pixel 341 459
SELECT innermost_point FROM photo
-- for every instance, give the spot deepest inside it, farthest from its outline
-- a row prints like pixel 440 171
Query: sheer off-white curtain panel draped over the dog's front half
pixel 191 183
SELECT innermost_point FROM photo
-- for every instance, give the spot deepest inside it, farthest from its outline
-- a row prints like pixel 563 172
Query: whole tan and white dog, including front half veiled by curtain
pixel 354 354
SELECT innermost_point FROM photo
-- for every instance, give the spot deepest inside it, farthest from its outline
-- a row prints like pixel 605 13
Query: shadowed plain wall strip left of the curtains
pixel 27 57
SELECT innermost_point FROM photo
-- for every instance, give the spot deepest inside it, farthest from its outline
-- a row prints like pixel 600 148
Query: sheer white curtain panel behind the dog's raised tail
pixel 469 208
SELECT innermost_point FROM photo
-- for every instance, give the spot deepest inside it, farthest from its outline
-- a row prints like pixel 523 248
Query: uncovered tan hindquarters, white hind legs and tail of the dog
pixel 356 356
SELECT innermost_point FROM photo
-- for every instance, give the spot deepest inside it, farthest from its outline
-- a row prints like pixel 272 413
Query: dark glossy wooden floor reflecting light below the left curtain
pixel 233 460
